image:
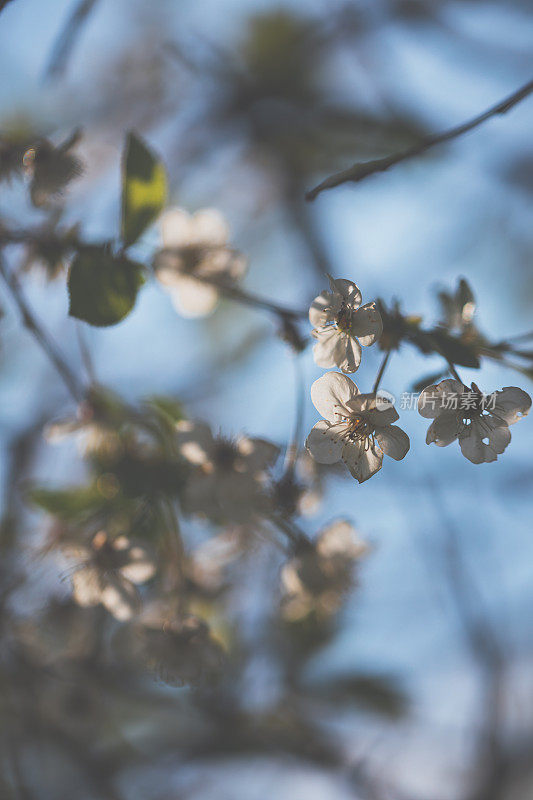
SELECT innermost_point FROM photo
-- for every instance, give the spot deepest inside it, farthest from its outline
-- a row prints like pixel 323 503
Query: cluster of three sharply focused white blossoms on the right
pixel 358 429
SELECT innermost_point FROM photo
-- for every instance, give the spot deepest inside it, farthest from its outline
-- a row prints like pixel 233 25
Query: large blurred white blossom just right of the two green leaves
pixel 195 251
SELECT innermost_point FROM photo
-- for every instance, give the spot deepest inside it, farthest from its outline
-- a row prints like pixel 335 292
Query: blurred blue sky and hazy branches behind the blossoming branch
pixel 250 104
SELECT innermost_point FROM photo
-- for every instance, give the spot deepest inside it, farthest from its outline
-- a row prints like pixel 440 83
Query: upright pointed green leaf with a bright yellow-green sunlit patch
pixel 144 189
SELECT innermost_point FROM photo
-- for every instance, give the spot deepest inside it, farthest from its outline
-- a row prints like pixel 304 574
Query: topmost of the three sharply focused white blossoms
pixel 342 325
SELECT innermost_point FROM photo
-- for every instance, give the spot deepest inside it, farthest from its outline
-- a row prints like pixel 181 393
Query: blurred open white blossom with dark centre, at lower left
pixel 106 572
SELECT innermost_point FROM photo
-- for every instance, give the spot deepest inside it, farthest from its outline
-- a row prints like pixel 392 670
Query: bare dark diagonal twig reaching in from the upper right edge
pixel 362 170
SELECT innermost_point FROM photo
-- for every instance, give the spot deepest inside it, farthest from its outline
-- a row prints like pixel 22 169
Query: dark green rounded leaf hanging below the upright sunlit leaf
pixel 102 287
